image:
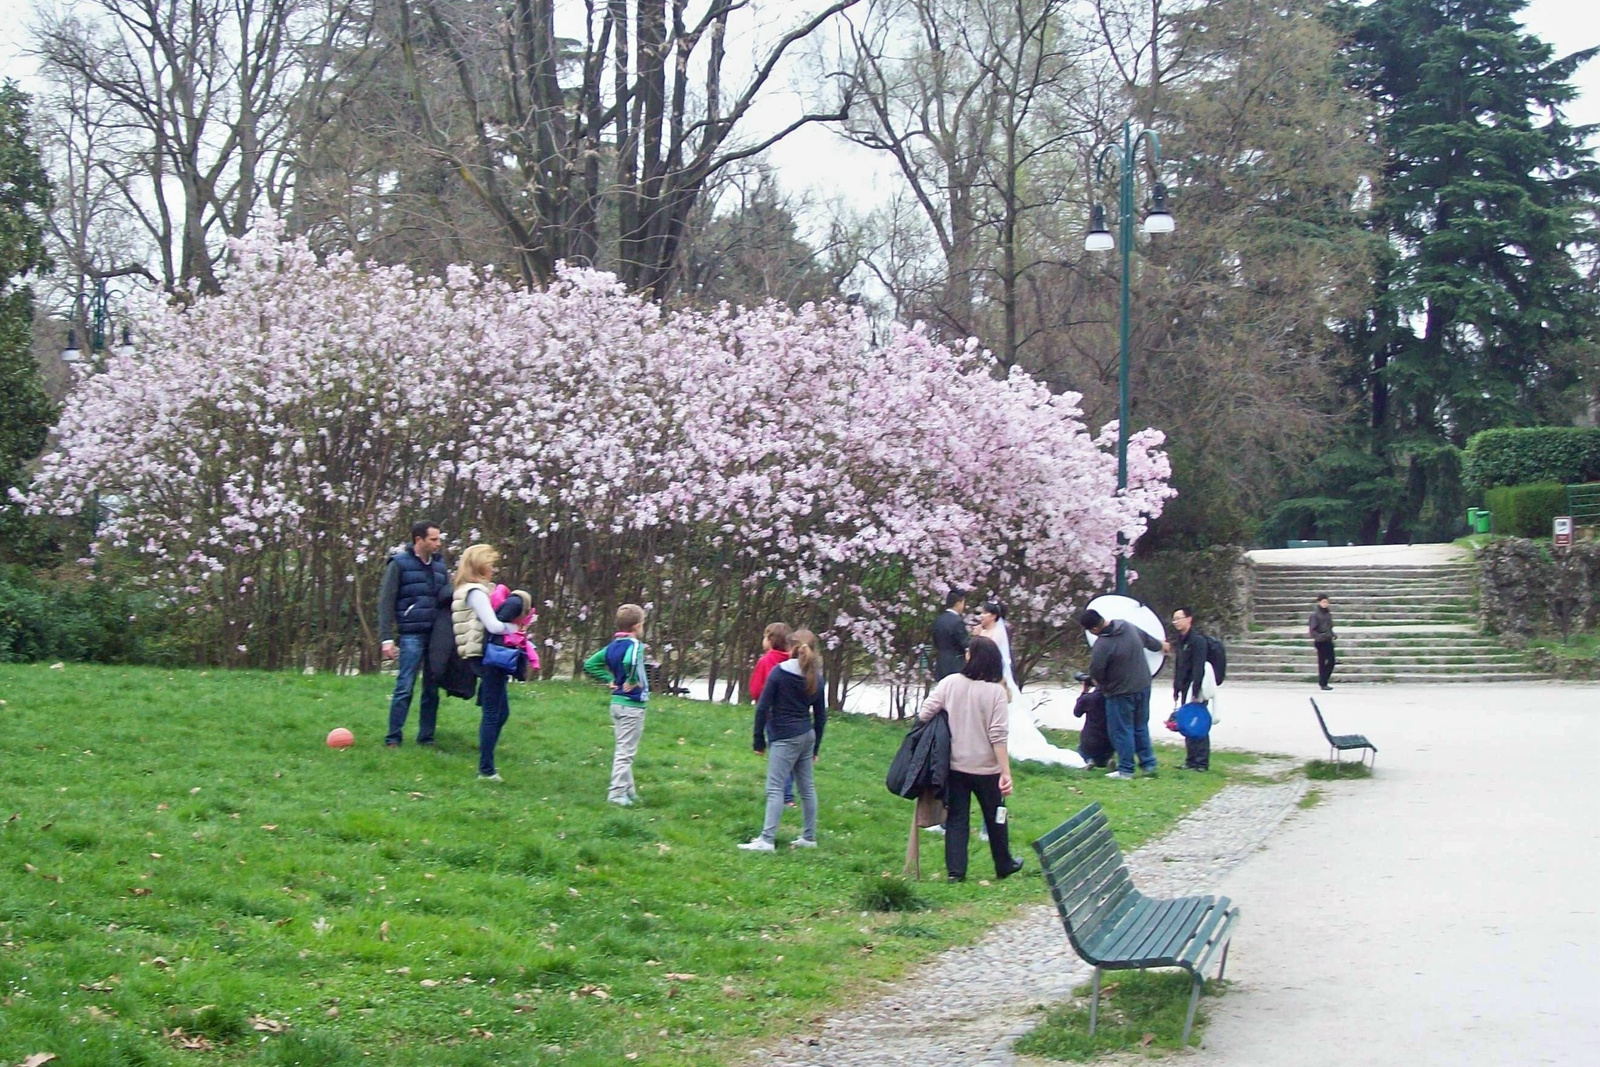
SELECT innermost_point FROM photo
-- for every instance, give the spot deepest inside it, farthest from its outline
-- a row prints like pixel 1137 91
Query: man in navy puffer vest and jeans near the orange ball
pixel 414 591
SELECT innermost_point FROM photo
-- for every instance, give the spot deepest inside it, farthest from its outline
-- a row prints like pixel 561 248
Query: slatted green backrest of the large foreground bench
pixel 1086 874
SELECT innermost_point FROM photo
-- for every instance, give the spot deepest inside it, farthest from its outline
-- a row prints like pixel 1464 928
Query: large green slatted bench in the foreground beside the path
pixel 1116 927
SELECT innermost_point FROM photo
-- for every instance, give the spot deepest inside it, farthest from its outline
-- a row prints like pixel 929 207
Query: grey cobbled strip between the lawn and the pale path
pixel 969 1005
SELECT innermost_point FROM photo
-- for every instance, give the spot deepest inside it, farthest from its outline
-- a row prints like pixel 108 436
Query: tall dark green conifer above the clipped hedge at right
pixel 1489 207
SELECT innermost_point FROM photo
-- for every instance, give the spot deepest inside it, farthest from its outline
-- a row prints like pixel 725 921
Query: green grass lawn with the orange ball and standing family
pixel 185 861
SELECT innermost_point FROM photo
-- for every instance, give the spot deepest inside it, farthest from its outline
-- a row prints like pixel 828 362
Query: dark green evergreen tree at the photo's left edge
pixel 26 412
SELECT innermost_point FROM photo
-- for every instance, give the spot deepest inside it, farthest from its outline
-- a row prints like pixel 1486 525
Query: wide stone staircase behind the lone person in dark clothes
pixel 1396 623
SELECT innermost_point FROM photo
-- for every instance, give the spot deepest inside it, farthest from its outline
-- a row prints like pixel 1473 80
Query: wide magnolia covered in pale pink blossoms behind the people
pixel 266 447
